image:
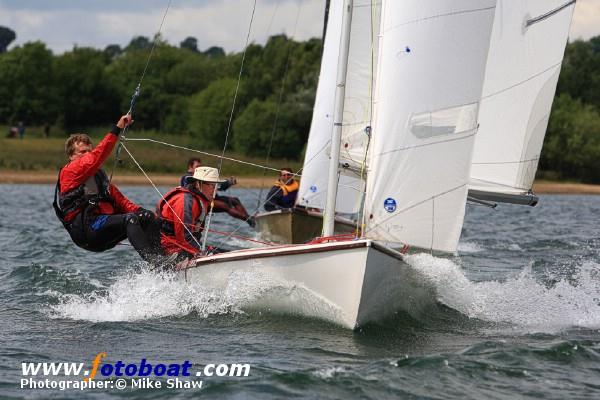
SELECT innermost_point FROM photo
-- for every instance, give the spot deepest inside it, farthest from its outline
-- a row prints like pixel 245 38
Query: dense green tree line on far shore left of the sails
pixel 184 90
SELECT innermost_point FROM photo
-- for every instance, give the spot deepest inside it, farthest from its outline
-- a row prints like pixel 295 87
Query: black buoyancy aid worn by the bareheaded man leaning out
pixel 94 190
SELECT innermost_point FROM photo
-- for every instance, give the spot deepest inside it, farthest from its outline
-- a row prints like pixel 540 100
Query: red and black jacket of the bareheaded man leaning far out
pixel 82 183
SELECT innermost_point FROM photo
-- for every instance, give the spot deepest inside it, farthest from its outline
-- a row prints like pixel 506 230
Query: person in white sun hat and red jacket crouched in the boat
pixel 183 211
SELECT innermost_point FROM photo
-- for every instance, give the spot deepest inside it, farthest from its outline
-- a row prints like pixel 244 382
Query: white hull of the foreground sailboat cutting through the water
pixel 354 282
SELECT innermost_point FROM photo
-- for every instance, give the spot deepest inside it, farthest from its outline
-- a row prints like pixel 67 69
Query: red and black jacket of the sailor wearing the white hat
pixel 187 206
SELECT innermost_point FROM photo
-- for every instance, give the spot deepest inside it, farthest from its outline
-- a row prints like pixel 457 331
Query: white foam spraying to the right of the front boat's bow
pixel 522 300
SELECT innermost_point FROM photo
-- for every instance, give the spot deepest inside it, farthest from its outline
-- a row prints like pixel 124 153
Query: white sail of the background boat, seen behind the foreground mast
pixel 357 108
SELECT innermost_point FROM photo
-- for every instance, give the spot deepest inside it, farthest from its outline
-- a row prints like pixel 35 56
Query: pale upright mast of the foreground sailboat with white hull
pixel 329 216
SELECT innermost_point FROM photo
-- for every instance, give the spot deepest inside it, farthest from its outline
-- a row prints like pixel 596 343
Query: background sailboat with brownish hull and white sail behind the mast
pixel 305 221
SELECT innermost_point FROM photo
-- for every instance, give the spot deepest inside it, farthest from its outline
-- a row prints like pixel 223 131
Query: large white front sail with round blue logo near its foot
pixel 429 82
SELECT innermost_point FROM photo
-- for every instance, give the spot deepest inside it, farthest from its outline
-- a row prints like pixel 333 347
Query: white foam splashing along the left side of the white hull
pixel 148 295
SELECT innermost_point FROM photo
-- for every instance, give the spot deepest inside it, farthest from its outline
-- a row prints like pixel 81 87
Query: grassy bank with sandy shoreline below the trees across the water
pixel 36 159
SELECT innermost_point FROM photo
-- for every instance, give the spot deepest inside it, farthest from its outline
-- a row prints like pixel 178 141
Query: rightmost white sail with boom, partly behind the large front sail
pixel 526 52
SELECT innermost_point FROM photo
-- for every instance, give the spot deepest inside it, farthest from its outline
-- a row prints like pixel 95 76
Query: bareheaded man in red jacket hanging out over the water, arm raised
pixel 94 212
